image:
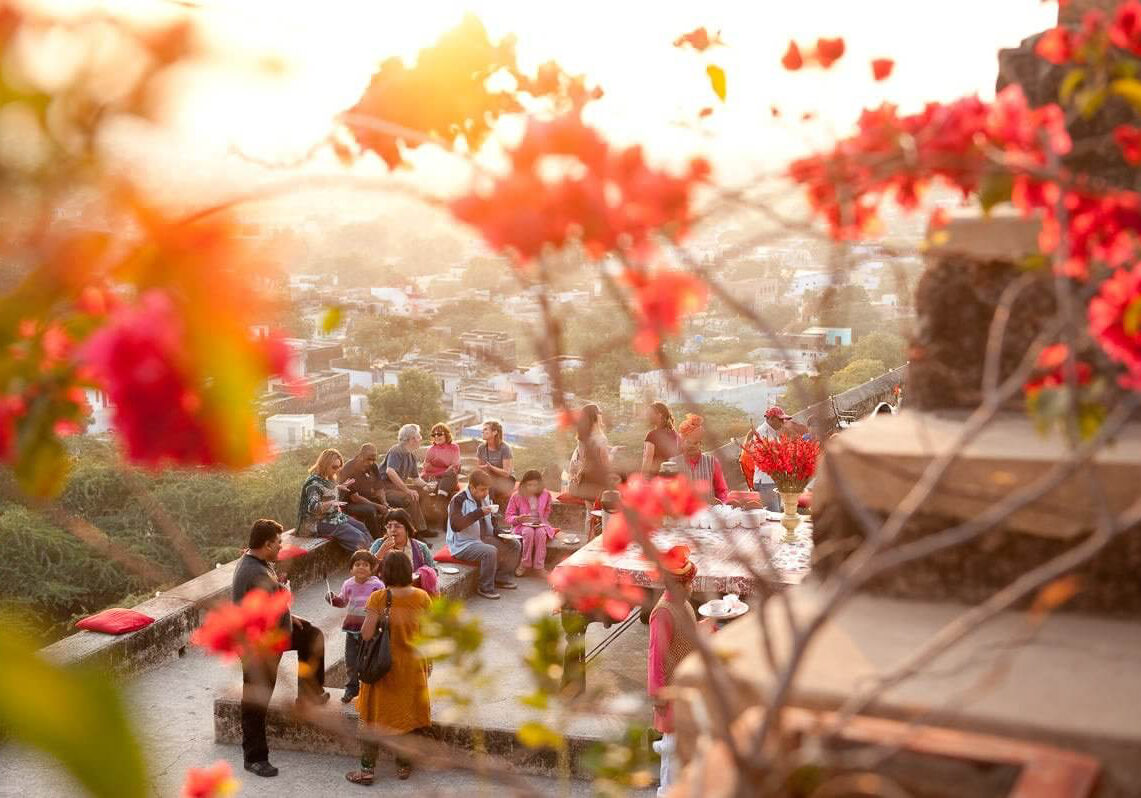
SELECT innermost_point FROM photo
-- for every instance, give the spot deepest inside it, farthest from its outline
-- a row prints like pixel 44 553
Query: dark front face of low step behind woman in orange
pixel 335 733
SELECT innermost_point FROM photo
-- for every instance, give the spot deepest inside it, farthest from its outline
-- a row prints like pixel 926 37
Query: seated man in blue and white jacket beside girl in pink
pixel 472 537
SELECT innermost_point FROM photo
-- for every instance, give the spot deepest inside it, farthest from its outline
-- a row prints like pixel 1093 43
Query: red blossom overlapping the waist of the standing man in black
pixel 252 628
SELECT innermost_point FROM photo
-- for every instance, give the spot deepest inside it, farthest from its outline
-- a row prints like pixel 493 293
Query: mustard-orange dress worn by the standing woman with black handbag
pixel 399 703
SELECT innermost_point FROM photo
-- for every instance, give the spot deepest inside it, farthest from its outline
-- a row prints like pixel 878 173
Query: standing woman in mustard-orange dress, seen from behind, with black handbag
pixel 399 703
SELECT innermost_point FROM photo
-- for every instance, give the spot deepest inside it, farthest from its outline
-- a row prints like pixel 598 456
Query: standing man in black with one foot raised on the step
pixel 260 675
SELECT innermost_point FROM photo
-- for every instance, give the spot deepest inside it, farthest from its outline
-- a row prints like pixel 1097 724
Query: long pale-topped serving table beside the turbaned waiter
pixel 719 554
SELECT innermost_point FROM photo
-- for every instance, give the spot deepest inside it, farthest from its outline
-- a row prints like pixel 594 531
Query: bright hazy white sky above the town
pixel 653 91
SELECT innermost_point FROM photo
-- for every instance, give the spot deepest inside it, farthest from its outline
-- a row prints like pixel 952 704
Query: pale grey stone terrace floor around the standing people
pixel 174 712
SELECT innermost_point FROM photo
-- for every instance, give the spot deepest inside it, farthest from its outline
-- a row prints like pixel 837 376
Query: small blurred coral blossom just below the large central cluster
pixel 661 300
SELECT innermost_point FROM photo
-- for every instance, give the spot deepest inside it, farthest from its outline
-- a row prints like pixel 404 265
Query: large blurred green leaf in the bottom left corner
pixel 75 715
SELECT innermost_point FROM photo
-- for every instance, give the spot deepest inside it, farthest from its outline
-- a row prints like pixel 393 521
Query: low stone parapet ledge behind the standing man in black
pixel 180 611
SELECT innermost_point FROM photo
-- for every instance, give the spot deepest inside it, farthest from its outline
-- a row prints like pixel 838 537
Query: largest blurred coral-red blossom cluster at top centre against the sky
pixel 613 203
